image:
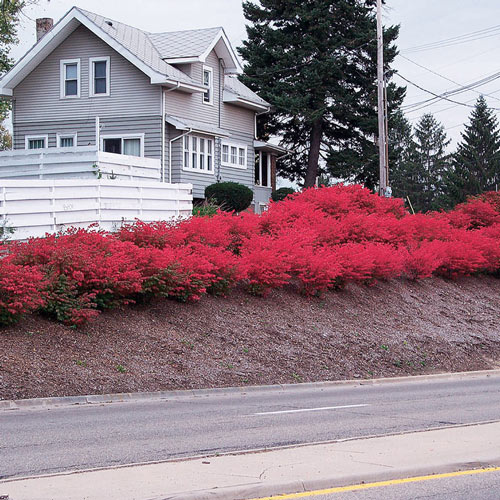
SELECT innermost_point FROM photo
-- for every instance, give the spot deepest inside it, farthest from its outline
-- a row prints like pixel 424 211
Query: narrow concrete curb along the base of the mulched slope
pixel 41 403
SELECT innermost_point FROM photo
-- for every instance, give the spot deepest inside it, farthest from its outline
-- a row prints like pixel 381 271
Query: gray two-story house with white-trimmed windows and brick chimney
pixel 170 104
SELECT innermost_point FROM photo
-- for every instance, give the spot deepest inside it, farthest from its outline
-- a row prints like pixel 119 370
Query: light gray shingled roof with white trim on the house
pixel 152 53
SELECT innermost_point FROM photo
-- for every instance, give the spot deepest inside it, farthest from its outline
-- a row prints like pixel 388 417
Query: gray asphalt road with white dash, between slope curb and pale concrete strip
pixel 70 438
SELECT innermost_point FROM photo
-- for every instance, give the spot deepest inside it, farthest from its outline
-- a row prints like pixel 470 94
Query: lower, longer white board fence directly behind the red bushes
pixel 36 207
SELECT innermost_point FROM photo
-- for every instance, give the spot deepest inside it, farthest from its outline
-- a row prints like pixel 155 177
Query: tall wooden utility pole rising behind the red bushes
pixel 382 139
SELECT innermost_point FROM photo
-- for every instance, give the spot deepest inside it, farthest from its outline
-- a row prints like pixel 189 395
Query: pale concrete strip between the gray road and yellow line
pixel 291 470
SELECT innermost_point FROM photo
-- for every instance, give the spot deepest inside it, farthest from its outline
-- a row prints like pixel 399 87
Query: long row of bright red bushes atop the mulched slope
pixel 317 240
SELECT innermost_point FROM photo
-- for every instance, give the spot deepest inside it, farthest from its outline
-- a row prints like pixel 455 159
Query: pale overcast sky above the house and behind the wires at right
pixel 422 22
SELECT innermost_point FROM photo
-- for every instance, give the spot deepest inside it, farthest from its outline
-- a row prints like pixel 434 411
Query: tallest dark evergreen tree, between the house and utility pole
pixel 315 62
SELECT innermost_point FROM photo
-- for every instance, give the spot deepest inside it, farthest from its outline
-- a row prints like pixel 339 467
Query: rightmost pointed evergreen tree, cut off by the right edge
pixel 476 163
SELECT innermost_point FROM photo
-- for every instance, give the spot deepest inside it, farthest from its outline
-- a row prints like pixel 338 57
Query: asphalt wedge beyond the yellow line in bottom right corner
pixel 477 487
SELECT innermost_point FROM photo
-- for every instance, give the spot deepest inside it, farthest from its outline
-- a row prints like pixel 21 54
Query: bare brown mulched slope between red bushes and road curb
pixel 388 329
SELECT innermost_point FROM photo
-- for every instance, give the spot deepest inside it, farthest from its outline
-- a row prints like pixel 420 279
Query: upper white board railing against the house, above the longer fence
pixel 80 162
